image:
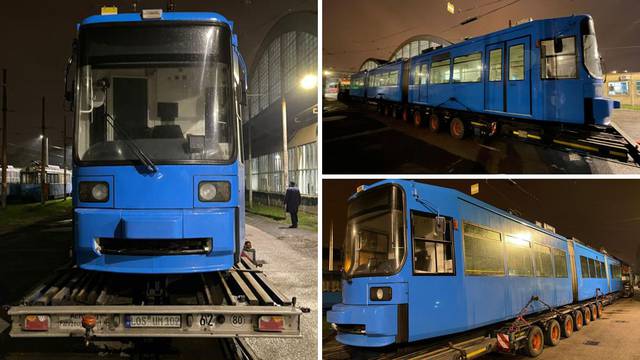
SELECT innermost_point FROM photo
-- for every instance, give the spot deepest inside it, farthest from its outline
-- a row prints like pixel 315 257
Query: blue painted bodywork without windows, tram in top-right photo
pixel 533 98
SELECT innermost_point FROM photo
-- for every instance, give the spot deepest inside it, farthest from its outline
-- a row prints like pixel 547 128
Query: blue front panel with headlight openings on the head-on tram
pixel 163 205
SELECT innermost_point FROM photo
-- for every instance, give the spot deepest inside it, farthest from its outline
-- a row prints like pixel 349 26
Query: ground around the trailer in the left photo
pixel 29 255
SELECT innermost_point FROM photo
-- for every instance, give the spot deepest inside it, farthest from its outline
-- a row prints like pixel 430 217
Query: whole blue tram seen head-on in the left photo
pixel 159 100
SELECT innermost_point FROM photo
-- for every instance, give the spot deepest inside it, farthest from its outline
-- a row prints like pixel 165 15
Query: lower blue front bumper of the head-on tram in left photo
pixel 155 241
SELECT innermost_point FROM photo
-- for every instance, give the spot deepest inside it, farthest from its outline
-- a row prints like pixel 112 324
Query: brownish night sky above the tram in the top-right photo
pixel 358 29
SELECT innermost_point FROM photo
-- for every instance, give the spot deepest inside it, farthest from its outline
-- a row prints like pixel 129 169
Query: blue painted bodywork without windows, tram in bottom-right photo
pixel 445 304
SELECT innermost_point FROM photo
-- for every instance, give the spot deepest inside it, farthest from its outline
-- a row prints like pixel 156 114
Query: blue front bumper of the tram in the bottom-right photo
pixel 370 325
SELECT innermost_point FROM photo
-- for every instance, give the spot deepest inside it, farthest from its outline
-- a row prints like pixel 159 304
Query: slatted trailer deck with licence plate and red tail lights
pixel 241 302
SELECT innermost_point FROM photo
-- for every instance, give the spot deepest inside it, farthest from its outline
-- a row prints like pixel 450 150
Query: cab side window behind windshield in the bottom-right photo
pixel 432 245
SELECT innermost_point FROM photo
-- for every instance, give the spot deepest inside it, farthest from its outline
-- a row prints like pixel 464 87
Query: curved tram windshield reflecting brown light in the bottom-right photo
pixel 375 240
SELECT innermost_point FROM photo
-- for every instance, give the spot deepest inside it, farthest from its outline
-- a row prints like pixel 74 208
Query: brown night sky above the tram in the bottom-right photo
pixel 600 213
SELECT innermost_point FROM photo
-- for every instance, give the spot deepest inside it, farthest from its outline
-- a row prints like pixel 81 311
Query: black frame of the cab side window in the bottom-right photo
pixel 450 242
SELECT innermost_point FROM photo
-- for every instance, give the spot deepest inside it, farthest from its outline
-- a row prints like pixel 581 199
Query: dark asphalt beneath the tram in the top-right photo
pixel 357 140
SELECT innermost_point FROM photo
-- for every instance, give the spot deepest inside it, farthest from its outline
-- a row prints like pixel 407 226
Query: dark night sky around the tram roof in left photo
pixel 36 42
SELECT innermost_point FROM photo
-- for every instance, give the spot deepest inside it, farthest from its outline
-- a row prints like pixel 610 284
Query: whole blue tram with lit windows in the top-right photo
pixel 539 72
